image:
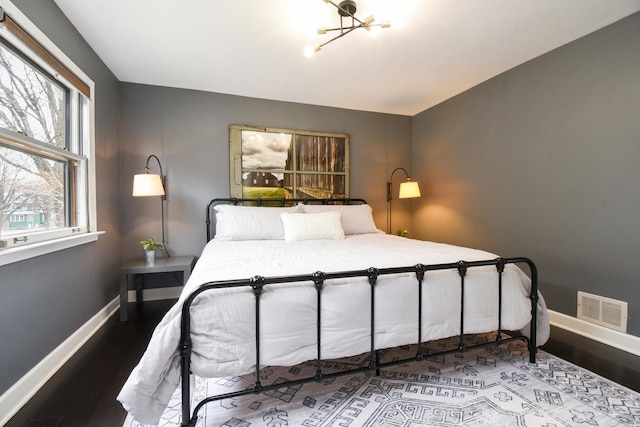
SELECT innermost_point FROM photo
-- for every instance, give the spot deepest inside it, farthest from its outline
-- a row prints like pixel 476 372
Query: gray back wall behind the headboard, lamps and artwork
pixel 189 132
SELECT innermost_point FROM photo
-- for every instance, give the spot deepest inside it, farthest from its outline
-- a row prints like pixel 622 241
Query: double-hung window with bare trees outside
pixel 47 190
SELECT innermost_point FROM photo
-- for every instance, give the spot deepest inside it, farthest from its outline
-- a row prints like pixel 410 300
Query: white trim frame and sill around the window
pixel 77 237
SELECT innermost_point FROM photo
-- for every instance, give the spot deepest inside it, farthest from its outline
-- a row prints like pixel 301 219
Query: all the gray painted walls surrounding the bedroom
pixel 540 162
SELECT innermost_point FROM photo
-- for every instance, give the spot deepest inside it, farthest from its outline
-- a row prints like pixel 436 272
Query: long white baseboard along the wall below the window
pixel 19 394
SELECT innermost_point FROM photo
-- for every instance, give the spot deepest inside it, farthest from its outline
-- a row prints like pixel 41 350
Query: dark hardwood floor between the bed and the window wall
pixel 83 391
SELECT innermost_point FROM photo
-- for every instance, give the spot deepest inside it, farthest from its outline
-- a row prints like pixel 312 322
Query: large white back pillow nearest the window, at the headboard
pixel 250 222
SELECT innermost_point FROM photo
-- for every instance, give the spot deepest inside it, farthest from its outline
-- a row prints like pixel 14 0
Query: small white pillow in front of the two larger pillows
pixel 323 225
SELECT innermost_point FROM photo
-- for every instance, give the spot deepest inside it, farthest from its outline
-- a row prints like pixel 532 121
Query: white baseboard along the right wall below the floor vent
pixel 619 340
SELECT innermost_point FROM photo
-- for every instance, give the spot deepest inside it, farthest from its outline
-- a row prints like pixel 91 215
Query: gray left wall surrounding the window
pixel 45 299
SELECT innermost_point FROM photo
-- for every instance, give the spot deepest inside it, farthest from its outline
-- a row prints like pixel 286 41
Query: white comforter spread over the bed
pixel 223 320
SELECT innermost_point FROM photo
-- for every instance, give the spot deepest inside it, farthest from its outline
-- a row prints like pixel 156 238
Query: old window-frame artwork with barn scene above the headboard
pixel 286 163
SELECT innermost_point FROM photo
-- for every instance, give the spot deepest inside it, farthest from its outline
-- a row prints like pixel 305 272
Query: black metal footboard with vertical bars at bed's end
pixel 372 274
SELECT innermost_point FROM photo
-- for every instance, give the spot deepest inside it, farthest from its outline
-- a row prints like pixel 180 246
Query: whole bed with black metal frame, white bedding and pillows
pixel 312 279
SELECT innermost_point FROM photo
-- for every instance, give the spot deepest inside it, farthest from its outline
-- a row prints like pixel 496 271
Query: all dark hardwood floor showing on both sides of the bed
pixel 83 392
